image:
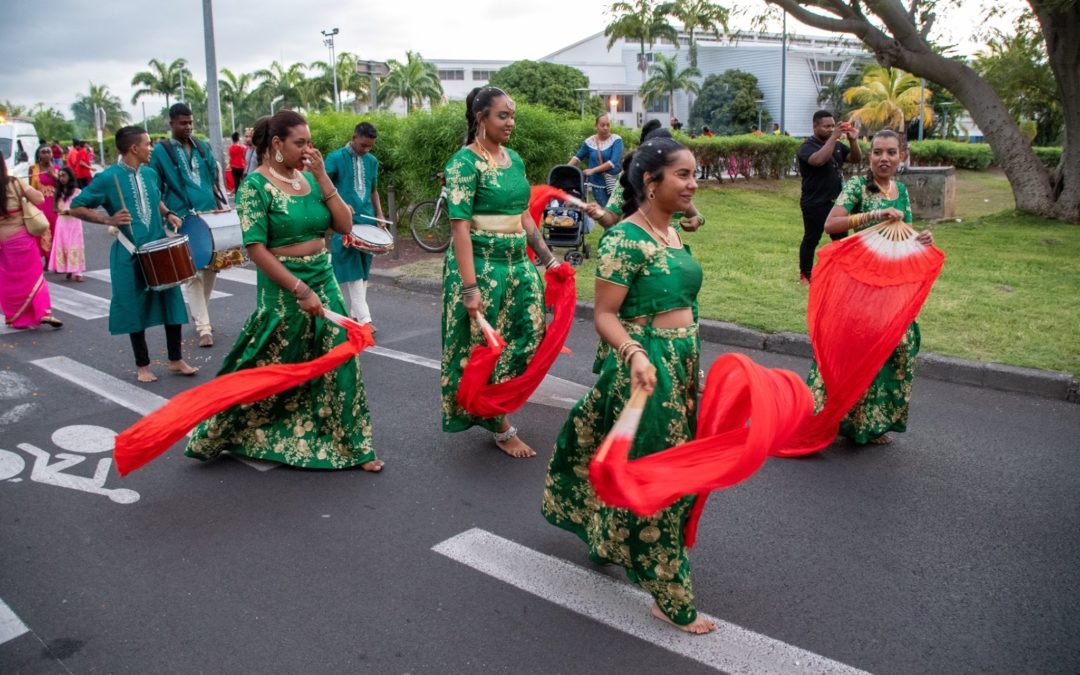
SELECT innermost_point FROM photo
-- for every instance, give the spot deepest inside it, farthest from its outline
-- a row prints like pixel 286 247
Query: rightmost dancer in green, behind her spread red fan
pixel 866 201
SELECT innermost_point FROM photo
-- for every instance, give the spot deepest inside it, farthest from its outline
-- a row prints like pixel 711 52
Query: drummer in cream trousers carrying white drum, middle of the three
pixel 190 177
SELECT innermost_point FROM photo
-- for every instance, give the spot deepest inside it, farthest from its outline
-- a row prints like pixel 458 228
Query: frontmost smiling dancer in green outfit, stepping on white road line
pixel 647 286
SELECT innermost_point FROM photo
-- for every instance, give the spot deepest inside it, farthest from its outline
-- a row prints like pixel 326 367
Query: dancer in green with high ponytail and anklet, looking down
pixel 488 272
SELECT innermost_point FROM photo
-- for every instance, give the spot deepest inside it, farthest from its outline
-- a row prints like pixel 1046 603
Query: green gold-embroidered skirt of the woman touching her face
pixel 323 424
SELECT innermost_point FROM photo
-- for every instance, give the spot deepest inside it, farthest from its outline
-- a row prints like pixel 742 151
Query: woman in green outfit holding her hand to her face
pixel 286 209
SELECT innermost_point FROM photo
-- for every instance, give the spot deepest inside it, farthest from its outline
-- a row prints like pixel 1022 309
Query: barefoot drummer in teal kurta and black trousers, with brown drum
pixel 131 195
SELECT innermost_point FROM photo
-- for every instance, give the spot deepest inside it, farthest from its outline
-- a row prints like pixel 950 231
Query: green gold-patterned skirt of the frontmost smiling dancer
pixel 650 549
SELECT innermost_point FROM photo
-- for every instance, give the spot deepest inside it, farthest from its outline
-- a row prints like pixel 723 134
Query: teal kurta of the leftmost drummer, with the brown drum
pixel 133 306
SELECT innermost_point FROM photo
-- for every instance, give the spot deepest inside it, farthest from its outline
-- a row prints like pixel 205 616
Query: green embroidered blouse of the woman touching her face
pixel 272 218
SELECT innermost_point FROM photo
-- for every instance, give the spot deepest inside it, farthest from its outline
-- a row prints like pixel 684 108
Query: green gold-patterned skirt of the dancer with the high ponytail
pixel 512 292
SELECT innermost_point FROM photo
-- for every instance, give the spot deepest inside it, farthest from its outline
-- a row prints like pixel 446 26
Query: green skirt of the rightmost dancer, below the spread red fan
pixel 885 406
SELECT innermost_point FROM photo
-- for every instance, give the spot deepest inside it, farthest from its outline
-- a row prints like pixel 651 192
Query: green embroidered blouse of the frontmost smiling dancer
pixel 658 278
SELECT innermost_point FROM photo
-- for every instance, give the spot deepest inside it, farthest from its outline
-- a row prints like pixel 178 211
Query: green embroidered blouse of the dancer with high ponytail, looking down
pixel 476 188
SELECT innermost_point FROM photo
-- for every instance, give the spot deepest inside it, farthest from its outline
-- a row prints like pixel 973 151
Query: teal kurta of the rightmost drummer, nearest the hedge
pixel 355 177
